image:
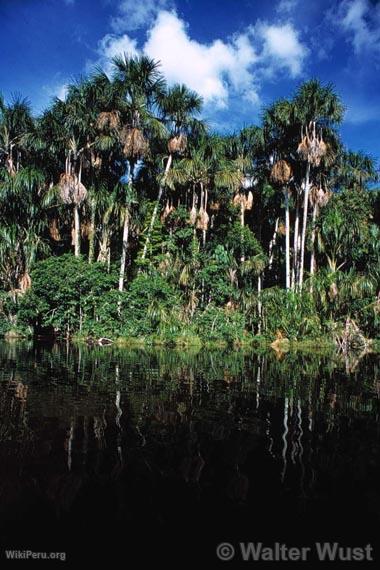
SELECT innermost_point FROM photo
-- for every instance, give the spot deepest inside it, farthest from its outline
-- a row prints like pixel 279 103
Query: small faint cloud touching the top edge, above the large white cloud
pixel 133 15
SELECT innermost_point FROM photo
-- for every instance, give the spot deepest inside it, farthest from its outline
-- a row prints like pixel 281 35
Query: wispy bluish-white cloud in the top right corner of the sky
pixel 361 20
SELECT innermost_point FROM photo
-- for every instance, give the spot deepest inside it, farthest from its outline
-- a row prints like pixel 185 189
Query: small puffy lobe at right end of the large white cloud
pixel 282 47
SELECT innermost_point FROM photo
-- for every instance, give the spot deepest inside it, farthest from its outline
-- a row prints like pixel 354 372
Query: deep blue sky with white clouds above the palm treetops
pixel 239 55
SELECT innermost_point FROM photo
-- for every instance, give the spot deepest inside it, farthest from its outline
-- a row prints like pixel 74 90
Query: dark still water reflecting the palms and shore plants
pixel 159 456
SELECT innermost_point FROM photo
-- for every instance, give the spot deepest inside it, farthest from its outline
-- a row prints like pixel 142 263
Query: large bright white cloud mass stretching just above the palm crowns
pixel 217 70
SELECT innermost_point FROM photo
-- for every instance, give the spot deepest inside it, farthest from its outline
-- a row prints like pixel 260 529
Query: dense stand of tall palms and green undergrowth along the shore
pixel 123 215
